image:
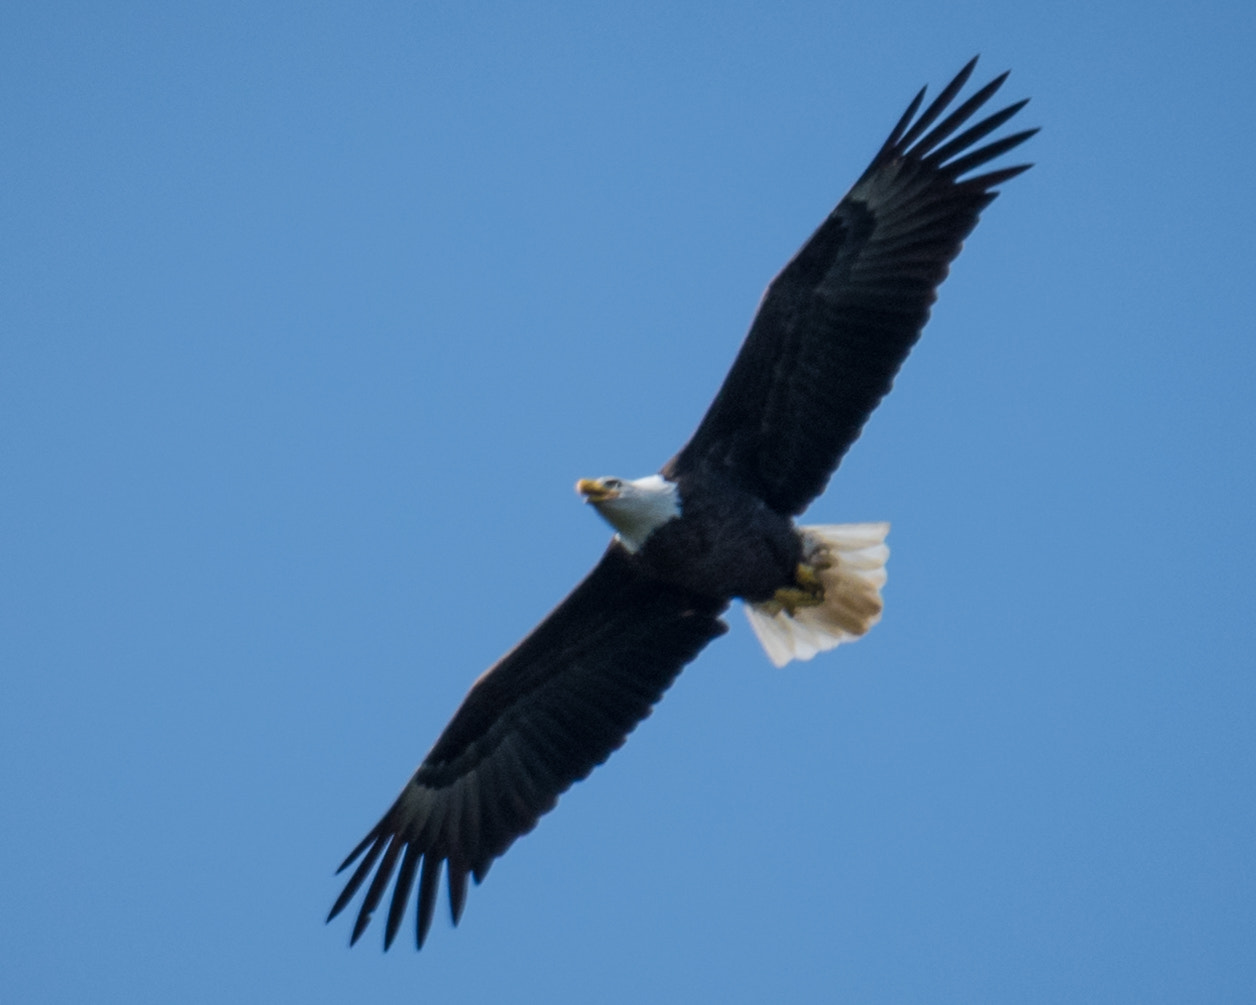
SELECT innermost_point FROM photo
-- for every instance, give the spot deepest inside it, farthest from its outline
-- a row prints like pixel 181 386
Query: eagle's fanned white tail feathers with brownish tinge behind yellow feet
pixel 851 565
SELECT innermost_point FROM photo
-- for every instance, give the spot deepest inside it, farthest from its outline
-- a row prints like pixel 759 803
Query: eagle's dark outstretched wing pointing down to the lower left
pixel 543 718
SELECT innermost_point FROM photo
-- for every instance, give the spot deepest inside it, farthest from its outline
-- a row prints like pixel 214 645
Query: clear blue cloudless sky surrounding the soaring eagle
pixel 312 315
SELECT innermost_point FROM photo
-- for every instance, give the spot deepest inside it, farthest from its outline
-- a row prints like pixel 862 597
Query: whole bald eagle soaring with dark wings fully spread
pixel 714 526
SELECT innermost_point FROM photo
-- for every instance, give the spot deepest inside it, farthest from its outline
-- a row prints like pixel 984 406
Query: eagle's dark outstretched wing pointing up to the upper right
pixel 840 320
